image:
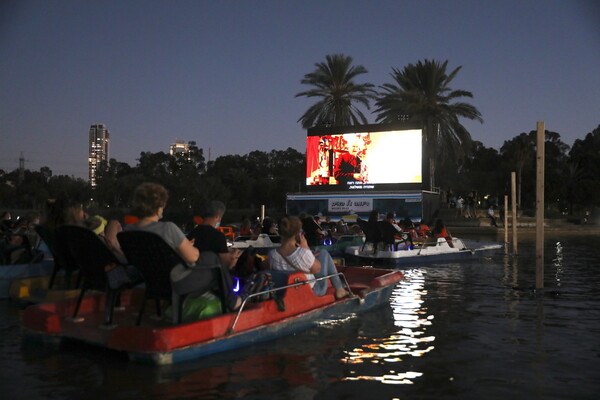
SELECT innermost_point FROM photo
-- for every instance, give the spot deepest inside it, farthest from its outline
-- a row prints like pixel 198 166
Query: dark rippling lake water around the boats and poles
pixel 472 330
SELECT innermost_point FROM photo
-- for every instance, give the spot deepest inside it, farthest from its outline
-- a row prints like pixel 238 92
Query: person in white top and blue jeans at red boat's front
pixel 295 255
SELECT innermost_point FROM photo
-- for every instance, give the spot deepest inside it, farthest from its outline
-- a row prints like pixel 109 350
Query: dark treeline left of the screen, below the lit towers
pixel 241 181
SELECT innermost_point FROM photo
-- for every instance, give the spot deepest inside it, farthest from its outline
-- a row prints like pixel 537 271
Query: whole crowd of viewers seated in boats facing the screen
pixel 297 235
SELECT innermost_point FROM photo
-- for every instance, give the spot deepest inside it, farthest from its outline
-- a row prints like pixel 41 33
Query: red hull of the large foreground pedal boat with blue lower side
pixel 159 342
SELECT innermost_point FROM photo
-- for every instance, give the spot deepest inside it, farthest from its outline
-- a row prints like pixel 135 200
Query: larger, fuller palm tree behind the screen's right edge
pixel 421 94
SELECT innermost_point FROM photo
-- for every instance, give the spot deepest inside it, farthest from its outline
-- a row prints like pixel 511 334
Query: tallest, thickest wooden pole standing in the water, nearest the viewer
pixel 539 208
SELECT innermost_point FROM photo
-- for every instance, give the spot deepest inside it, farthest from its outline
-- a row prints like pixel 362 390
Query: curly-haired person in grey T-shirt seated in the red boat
pixel 149 201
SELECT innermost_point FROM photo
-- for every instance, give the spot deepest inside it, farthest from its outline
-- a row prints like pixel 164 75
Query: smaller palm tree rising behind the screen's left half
pixel 334 85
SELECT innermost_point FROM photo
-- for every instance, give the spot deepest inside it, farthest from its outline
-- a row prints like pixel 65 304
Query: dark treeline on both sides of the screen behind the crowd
pixel 257 178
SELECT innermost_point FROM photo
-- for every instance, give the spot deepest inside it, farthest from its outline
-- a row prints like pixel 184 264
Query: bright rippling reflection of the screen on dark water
pixel 411 340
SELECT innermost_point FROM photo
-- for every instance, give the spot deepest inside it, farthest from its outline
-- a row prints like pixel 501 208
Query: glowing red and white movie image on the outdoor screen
pixel 364 160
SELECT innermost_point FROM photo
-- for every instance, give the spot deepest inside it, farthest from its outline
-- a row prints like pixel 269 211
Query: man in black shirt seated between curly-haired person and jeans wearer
pixel 206 237
